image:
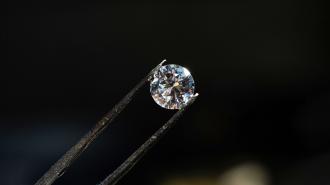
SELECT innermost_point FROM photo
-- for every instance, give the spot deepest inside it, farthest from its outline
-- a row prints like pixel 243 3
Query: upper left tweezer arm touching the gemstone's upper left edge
pixel 60 166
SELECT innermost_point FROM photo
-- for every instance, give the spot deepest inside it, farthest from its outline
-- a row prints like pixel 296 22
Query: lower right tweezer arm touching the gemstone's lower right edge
pixel 126 166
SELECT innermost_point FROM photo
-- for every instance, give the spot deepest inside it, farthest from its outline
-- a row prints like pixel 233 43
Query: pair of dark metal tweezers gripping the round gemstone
pixel 62 164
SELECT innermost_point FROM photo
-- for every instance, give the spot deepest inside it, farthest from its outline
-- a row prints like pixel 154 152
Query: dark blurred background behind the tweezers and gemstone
pixel 260 67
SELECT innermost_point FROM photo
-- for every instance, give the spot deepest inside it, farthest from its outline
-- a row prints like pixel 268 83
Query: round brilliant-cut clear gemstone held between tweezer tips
pixel 172 86
